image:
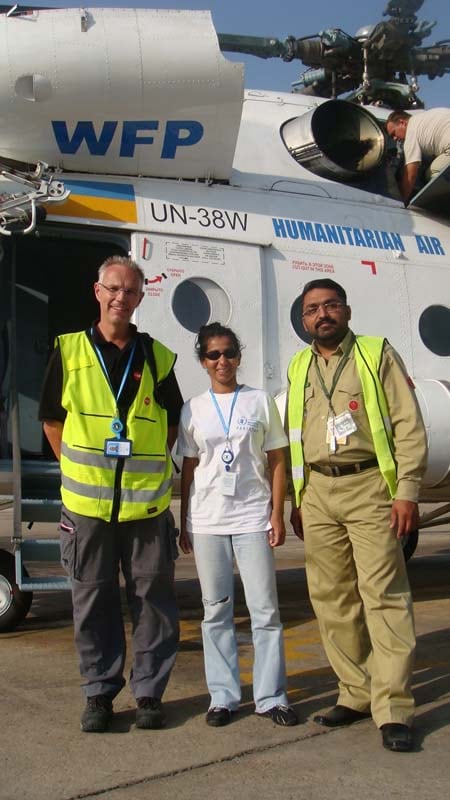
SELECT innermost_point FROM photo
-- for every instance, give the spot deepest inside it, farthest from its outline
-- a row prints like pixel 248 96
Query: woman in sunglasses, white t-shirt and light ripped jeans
pixel 232 502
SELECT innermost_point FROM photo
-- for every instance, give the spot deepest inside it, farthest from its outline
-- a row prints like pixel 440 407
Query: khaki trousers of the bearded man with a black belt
pixel 360 593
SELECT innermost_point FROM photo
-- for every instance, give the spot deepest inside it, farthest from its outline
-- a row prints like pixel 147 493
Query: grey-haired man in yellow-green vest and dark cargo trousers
pixel 110 406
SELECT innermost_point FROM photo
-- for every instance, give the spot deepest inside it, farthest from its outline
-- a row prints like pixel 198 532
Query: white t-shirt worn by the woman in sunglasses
pixel 255 428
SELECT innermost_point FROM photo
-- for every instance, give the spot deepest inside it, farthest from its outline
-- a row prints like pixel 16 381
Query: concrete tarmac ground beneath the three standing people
pixel 44 755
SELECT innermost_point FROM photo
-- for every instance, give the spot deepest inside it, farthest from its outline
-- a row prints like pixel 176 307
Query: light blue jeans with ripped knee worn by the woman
pixel 254 557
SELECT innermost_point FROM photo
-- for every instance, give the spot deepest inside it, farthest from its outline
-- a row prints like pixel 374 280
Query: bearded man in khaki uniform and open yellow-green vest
pixel 358 453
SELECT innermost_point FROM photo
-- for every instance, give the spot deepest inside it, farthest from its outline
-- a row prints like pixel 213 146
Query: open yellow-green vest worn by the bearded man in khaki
pixel 368 351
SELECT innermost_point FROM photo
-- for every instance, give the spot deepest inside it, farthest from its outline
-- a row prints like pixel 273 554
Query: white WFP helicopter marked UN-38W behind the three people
pixel 128 131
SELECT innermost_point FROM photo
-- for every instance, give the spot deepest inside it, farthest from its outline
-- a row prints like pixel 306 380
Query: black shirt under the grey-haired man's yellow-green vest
pixel 115 360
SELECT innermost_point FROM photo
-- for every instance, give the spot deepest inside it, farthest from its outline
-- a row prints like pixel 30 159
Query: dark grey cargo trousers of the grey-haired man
pixel 92 553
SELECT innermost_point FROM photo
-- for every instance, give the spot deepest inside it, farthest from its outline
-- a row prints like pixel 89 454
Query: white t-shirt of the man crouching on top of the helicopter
pixel 427 134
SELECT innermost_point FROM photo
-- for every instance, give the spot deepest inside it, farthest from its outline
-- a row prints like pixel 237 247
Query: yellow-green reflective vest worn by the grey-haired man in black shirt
pixel 89 477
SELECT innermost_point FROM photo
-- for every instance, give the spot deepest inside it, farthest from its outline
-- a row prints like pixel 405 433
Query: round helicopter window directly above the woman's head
pixel 197 301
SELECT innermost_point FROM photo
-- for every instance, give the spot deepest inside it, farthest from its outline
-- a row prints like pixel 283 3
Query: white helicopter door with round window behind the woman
pixel 190 282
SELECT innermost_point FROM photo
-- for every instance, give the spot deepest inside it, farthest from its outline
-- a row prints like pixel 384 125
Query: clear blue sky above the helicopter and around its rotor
pixel 281 18
